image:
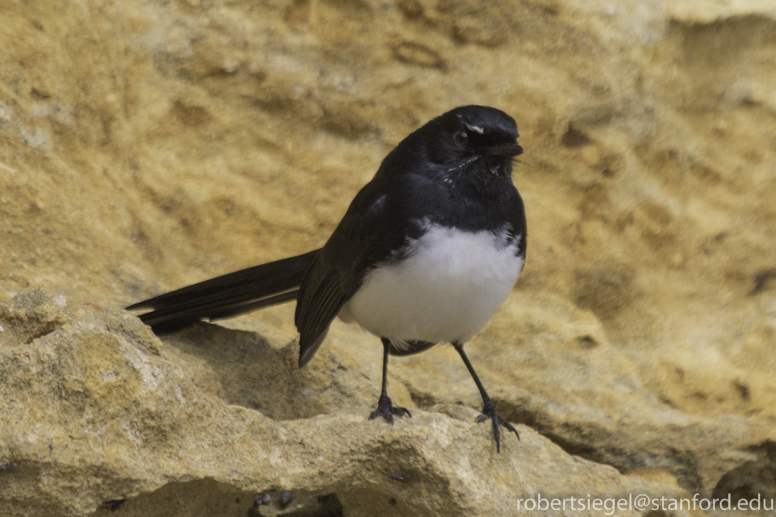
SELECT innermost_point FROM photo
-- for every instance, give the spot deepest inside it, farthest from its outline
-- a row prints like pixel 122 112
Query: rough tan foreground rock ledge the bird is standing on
pixel 104 424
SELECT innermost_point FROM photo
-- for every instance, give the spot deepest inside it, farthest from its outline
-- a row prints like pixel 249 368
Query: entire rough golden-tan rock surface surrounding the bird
pixel 147 145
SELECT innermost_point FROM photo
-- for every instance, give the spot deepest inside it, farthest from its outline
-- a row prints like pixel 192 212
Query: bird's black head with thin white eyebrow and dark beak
pixel 472 144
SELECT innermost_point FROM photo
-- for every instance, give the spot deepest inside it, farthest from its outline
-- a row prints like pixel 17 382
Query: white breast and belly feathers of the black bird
pixel 446 291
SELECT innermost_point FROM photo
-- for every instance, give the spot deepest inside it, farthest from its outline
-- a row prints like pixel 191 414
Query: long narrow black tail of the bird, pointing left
pixel 229 295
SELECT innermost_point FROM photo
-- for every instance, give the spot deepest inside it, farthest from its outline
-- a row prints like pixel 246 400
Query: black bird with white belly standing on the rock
pixel 426 253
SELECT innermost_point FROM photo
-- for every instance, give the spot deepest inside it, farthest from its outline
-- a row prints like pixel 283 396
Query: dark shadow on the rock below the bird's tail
pixel 243 368
